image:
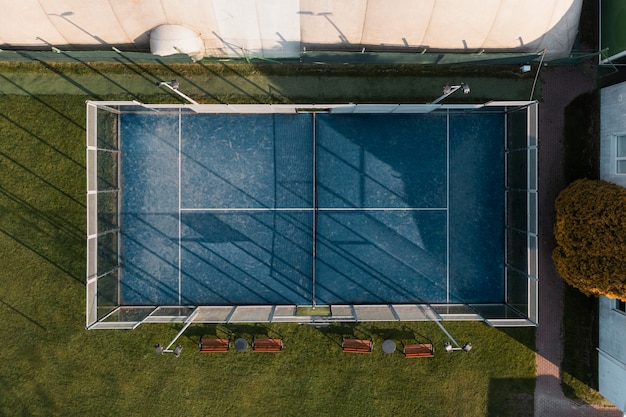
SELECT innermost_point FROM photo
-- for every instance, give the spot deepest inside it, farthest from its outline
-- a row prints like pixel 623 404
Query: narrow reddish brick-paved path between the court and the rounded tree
pixel 560 86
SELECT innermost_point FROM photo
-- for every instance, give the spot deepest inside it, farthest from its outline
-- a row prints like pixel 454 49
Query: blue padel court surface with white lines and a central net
pixel 237 209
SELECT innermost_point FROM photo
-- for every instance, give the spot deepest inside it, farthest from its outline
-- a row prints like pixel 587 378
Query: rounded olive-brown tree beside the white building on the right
pixel 590 232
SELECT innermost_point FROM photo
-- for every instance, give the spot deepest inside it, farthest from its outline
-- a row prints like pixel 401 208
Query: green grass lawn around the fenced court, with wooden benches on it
pixel 52 366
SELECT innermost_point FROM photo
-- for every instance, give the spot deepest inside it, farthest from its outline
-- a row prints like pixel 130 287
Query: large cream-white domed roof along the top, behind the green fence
pixel 281 28
